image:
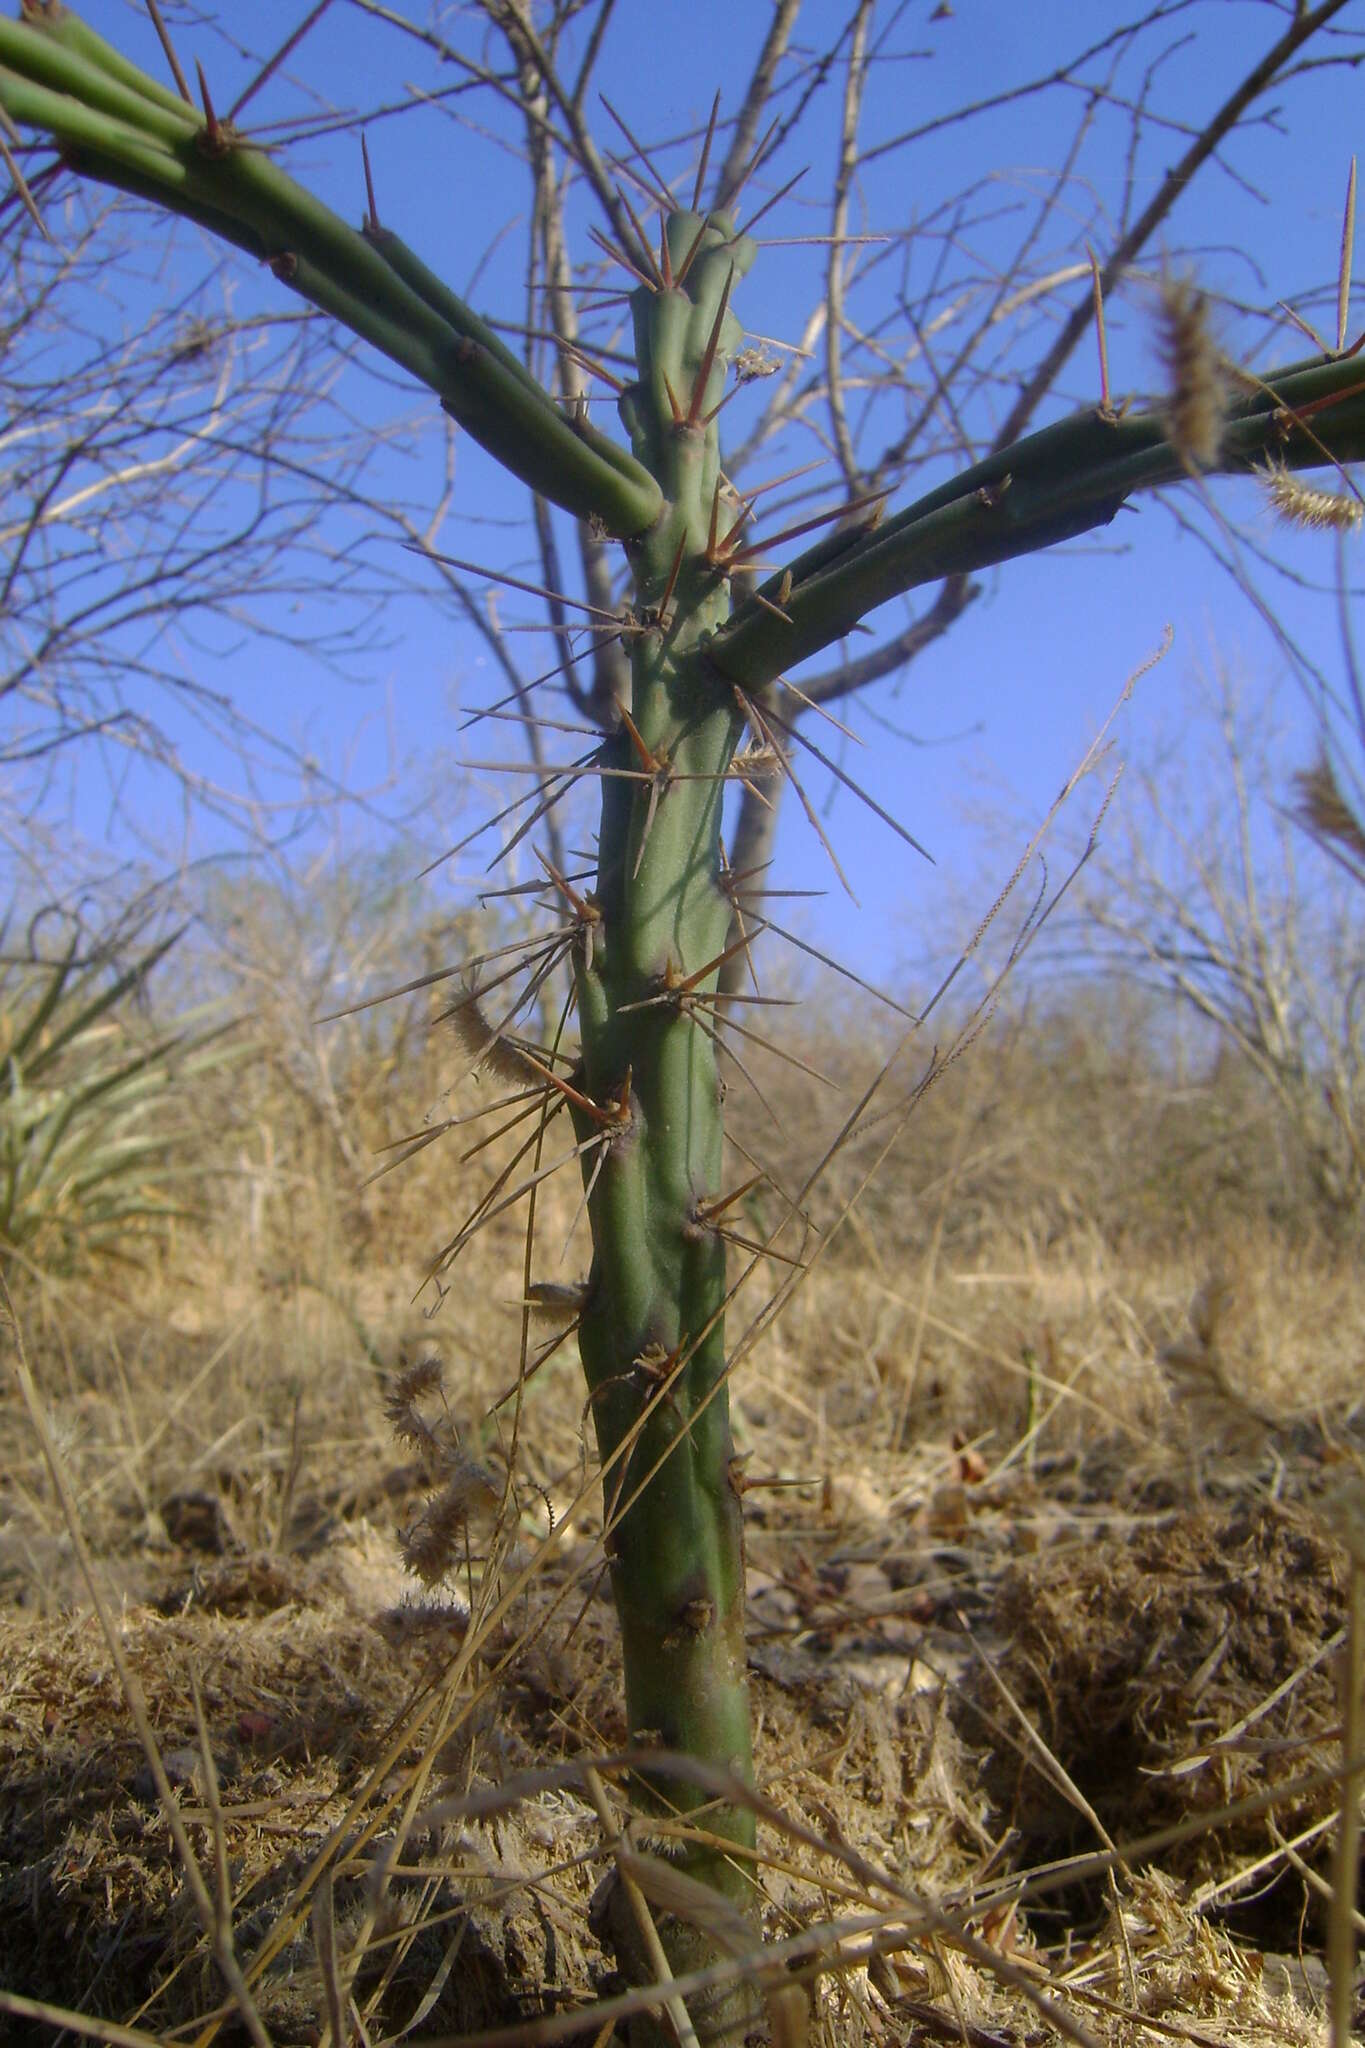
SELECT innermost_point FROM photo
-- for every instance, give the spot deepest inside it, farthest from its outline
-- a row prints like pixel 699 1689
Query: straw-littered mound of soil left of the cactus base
pixel 306 1701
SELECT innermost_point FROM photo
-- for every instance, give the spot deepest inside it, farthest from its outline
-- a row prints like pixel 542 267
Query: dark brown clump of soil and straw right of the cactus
pixel 1174 1670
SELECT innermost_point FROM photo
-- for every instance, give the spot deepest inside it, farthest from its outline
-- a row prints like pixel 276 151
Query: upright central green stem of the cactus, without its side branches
pixel 654 1330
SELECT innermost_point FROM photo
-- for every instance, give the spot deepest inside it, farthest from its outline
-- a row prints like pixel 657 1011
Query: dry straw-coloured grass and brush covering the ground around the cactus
pixel 1047 1586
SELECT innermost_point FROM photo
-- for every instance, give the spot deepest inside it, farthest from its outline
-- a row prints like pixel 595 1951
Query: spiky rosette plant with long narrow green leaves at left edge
pixel 89 1154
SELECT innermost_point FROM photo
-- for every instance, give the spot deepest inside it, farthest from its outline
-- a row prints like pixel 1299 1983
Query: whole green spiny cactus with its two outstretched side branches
pixel 652 939
